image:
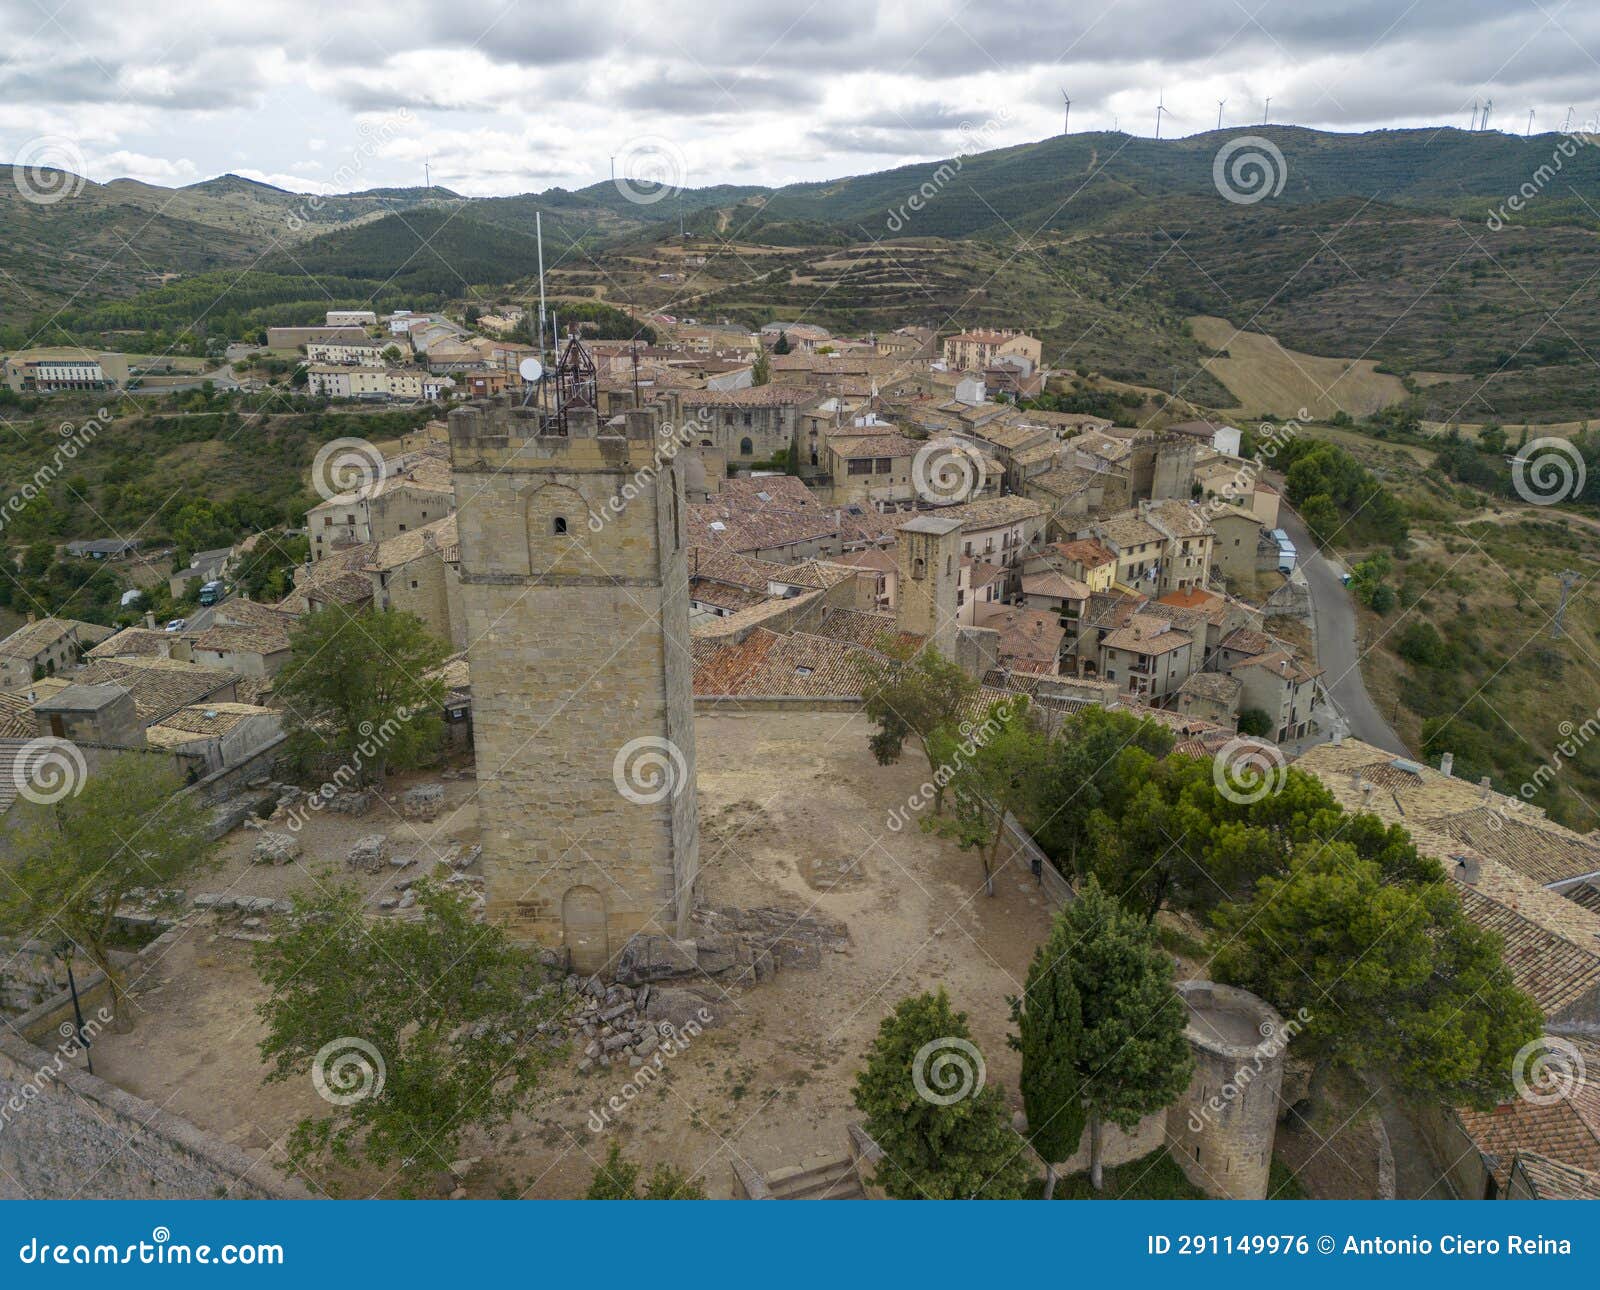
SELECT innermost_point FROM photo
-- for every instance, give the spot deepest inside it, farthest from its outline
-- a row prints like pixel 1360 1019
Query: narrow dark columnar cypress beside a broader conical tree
pixel 1049 1017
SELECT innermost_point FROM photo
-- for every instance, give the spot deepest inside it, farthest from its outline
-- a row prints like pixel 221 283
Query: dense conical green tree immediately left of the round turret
pixel 1132 1056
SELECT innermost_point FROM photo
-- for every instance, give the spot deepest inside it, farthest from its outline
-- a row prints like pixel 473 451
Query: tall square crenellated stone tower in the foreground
pixel 575 591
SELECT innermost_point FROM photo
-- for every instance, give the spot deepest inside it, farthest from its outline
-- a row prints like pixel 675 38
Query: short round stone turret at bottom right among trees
pixel 1222 1131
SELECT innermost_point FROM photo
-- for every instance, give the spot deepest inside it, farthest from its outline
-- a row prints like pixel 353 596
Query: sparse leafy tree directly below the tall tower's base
pixel 415 1033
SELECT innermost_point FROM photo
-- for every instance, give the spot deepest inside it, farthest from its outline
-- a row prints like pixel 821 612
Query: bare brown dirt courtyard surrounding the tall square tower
pixel 794 814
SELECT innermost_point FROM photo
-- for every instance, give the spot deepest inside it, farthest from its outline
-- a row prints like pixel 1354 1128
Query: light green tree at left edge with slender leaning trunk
pixel 71 862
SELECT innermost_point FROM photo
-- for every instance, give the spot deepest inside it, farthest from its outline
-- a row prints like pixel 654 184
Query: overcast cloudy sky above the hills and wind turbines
pixel 527 95
